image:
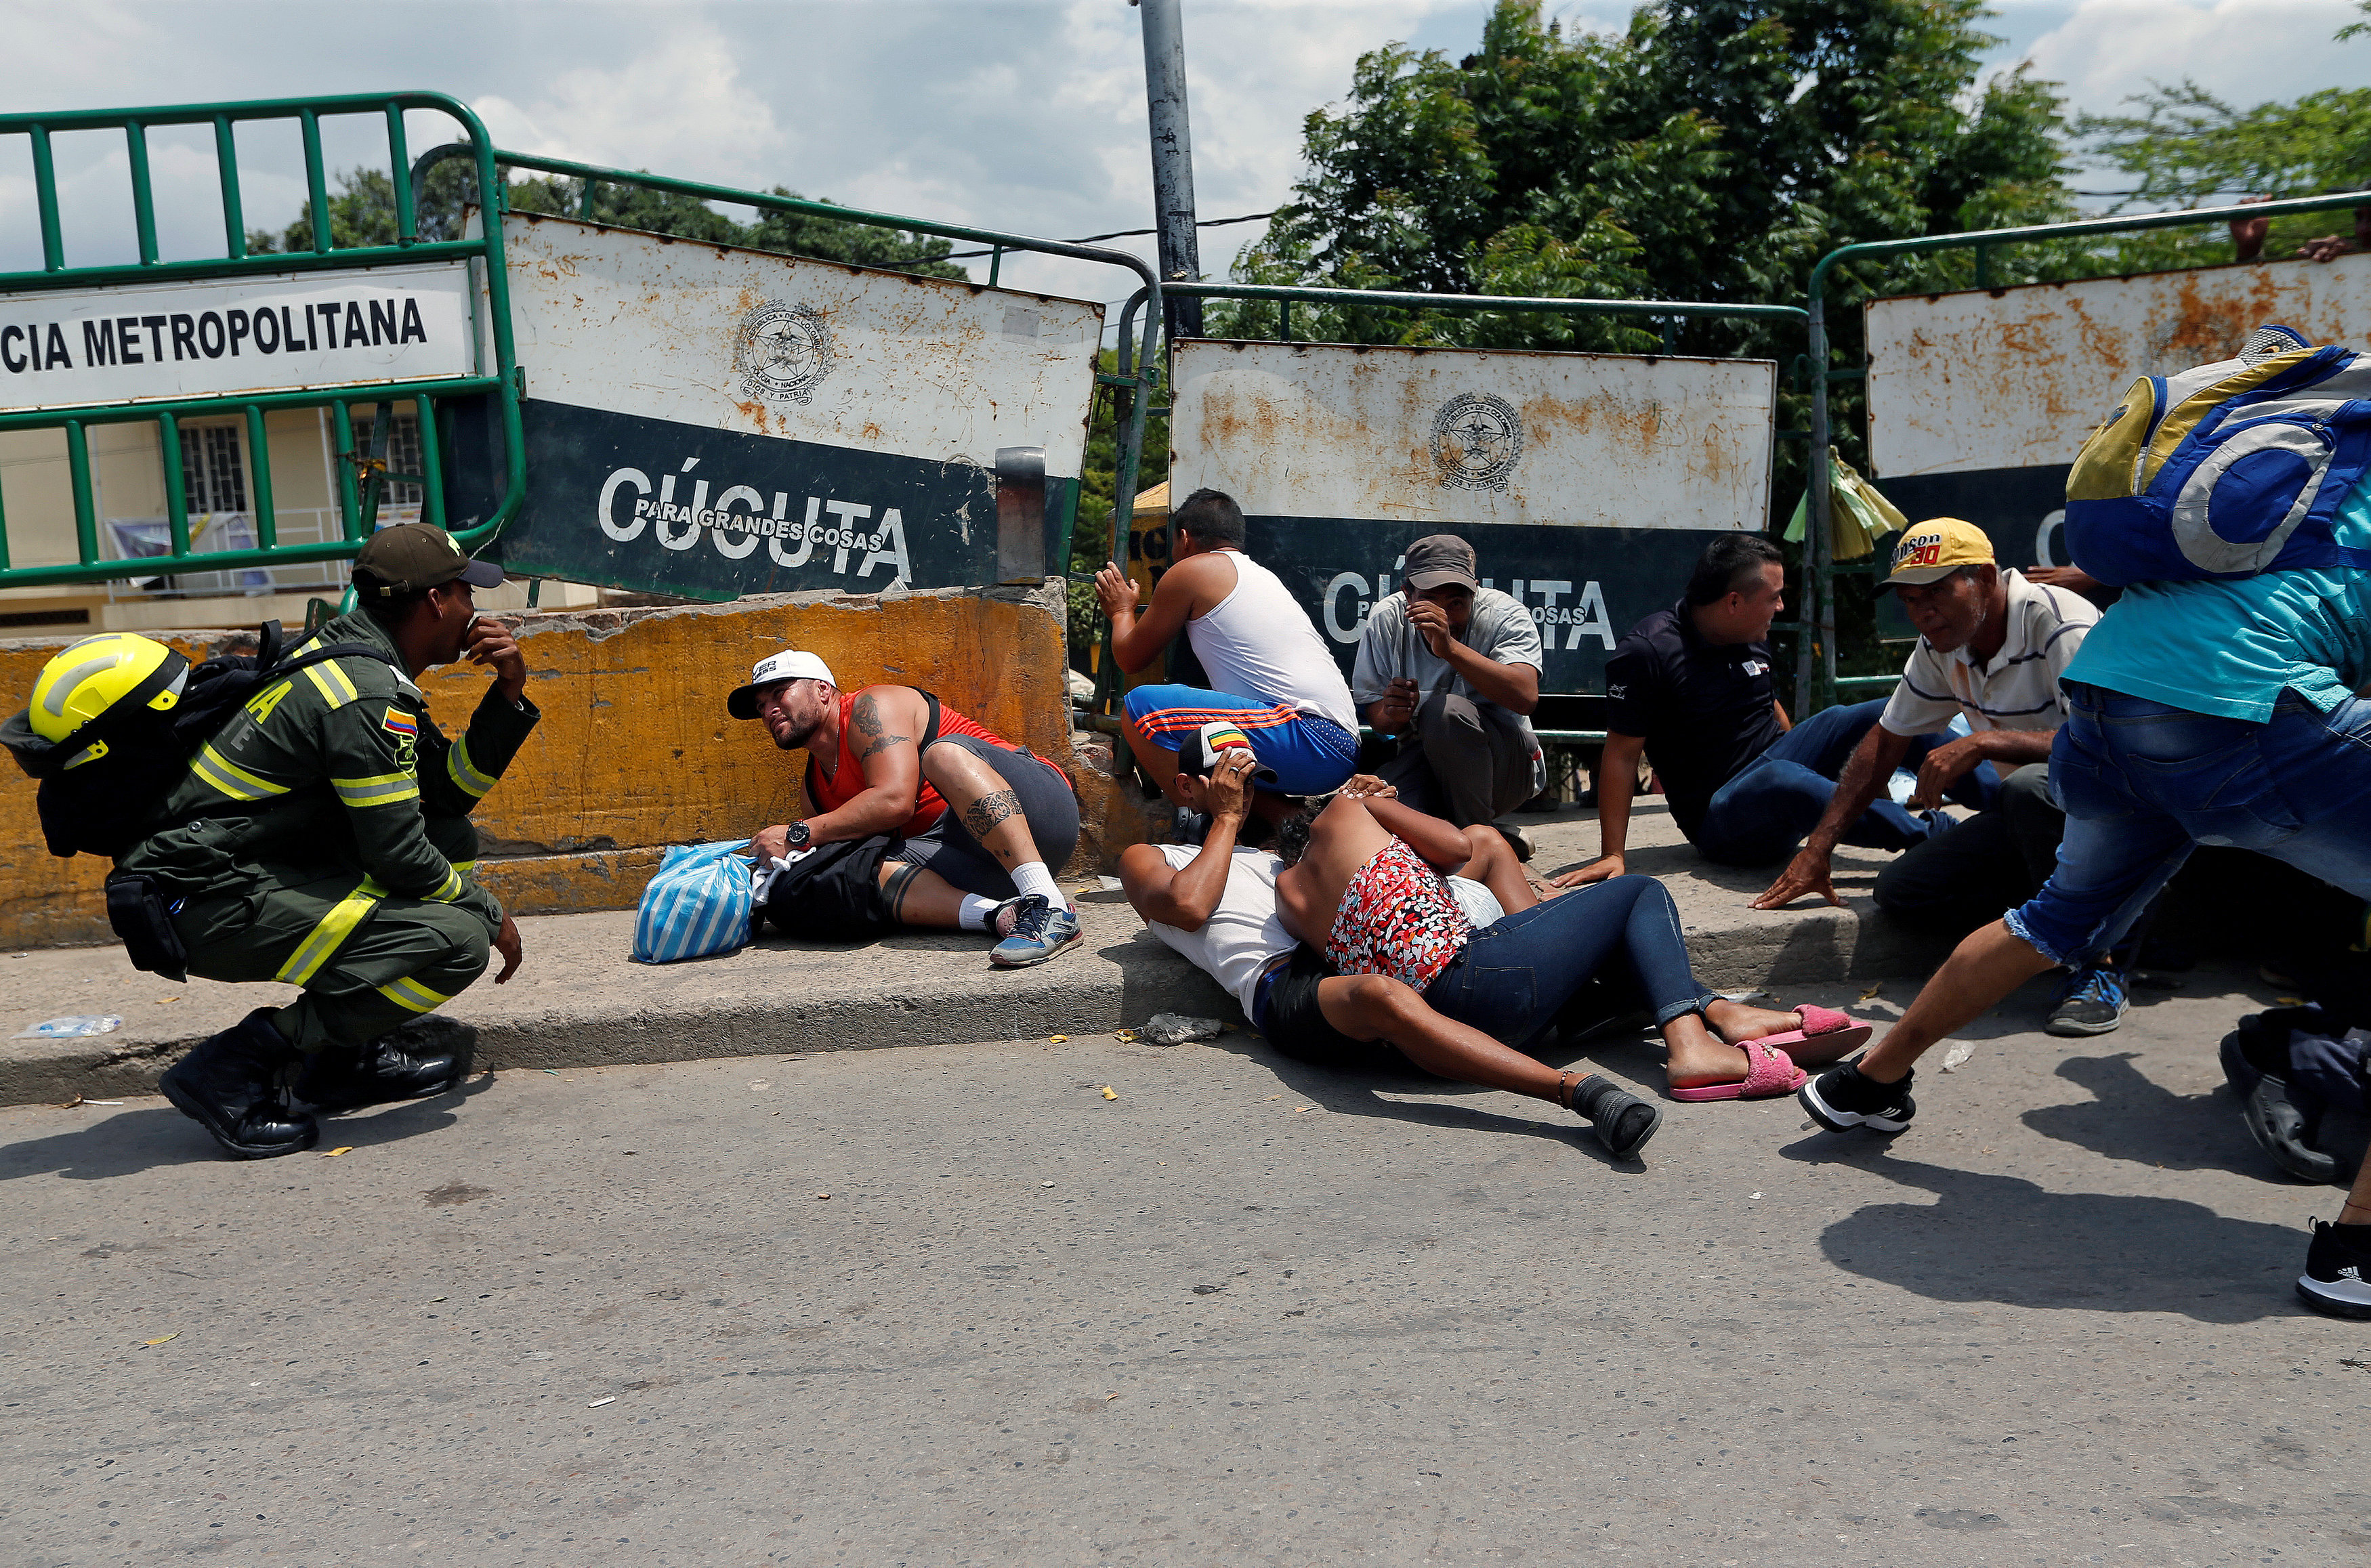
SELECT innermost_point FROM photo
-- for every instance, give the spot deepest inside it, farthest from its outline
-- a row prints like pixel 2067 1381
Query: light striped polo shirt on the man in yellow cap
pixel 2012 691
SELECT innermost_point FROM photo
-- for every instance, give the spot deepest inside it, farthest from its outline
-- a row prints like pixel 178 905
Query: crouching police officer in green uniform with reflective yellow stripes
pixel 324 839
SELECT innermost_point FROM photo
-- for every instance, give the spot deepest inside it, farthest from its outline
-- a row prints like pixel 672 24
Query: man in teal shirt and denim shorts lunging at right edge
pixel 2199 710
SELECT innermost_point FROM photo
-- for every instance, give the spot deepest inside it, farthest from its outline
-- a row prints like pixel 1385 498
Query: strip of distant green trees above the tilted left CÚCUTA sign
pixel 364 212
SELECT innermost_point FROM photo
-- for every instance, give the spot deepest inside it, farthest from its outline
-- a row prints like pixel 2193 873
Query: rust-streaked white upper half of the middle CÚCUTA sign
pixel 1474 438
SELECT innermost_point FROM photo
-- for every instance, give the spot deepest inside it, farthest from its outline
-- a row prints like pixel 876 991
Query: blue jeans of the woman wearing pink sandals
pixel 1521 971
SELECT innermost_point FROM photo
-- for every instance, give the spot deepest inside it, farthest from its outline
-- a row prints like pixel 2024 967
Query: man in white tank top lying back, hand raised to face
pixel 1218 907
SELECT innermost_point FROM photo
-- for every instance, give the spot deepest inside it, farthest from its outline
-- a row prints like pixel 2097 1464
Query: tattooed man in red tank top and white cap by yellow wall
pixel 980 822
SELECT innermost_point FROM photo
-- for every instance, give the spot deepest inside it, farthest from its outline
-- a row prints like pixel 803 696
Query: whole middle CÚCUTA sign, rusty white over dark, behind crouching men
pixel 1585 483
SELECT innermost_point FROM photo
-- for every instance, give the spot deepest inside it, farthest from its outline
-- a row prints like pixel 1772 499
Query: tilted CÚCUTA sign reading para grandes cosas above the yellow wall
pixel 717 421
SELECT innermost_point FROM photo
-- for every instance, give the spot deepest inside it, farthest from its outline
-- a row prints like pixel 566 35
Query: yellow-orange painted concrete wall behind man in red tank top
pixel 637 751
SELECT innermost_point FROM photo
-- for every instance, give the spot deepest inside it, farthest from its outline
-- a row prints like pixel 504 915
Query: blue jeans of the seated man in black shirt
pixel 1760 815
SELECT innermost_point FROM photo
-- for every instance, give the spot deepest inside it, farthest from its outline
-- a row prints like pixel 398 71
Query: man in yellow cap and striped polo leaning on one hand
pixel 1993 651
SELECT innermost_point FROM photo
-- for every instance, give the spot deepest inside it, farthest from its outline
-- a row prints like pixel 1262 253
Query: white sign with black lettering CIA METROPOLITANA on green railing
pixel 179 340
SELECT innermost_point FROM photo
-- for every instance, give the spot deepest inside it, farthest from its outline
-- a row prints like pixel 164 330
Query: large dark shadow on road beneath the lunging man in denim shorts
pixel 2005 1239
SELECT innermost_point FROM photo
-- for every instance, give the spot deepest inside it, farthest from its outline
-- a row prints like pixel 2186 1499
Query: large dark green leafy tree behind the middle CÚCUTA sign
pixel 1715 151
